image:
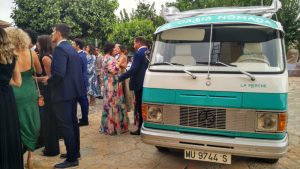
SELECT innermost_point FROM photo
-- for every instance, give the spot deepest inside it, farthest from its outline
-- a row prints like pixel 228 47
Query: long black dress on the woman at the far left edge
pixel 10 142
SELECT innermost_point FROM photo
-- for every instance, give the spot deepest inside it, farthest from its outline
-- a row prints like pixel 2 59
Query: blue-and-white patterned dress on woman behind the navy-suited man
pixel 94 83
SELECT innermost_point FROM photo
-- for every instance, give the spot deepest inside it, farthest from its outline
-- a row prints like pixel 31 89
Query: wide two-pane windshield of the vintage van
pixel 247 47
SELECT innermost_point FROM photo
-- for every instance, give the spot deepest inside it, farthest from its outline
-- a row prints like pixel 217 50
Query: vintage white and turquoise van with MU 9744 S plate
pixel 217 86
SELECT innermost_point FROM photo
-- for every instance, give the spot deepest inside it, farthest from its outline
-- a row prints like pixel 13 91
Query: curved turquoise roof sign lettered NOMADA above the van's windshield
pixel 221 19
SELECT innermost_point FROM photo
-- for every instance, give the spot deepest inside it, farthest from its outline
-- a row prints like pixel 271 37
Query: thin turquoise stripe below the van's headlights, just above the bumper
pixel 272 136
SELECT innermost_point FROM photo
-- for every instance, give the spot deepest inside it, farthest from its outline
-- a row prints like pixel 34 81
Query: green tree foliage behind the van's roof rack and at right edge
pixel 288 15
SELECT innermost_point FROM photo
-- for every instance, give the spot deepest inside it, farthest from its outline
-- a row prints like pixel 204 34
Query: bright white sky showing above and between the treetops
pixel 7 5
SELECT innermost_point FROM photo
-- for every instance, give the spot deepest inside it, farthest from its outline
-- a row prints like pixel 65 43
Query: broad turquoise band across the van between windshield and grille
pixel 243 100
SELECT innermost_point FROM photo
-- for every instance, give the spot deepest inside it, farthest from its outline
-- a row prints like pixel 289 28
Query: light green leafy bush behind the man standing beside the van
pixel 125 32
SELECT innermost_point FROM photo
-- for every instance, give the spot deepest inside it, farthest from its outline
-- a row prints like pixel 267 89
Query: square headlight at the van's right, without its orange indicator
pixel 267 122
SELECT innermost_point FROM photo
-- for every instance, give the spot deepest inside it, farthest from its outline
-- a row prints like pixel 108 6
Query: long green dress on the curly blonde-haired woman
pixel 29 116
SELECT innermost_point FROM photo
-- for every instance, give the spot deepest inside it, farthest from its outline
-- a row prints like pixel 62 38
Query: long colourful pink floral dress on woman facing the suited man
pixel 114 116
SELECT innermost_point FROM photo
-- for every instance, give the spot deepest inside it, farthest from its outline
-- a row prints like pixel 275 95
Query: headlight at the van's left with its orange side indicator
pixel 153 113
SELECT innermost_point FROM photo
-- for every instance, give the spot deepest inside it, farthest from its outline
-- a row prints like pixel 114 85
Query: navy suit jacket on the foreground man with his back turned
pixel 66 79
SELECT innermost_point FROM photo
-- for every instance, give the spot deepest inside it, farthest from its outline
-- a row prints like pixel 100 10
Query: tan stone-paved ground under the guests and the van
pixel 100 151
